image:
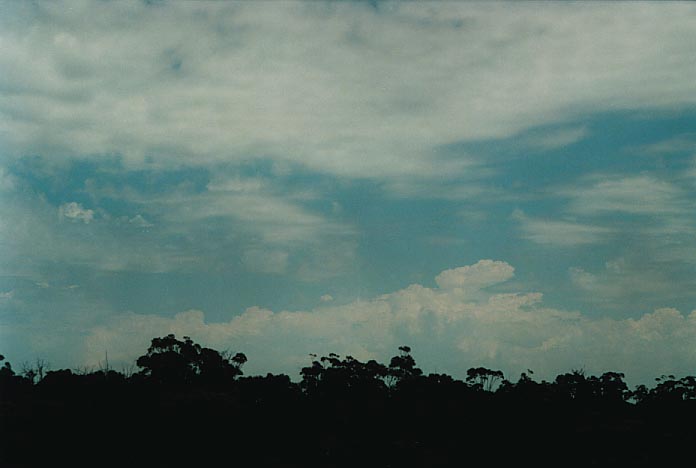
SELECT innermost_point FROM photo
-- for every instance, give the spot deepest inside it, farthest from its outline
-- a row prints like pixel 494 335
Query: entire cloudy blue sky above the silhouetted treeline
pixel 509 185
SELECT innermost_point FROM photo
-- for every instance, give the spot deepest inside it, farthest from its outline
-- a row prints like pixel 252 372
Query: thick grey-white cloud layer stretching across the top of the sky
pixel 204 83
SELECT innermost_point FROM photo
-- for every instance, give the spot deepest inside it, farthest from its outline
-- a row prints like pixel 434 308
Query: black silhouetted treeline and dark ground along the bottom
pixel 187 405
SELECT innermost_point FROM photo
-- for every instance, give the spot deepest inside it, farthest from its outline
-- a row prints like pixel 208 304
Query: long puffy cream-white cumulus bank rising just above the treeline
pixel 461 323
